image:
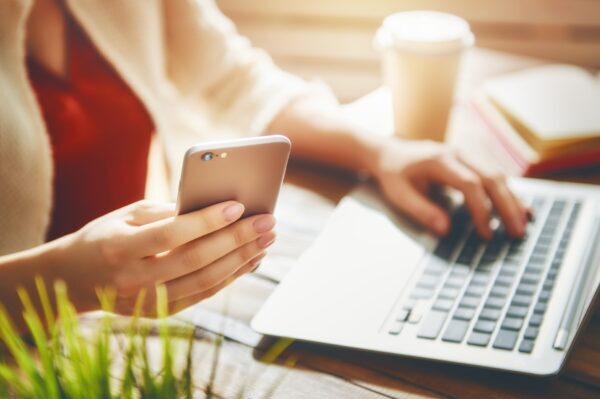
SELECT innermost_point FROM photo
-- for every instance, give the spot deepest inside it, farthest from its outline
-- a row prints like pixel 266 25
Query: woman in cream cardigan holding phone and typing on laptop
pixel 86 82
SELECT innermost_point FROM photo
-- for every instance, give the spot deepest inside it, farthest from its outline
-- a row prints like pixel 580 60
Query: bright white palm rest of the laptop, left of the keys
pixel 343 287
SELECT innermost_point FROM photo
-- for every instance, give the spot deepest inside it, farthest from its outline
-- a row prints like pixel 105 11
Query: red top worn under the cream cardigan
pixel 100 135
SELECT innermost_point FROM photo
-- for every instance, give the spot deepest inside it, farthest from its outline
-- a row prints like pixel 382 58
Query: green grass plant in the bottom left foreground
pixel 65 362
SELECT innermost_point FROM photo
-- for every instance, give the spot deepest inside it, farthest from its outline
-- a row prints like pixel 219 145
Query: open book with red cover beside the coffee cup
pixel 546 119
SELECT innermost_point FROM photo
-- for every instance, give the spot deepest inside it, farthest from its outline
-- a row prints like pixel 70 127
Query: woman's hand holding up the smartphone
pixel 145 244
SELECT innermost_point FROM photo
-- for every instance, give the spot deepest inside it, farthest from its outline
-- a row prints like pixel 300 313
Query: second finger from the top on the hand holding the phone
pixel 203 252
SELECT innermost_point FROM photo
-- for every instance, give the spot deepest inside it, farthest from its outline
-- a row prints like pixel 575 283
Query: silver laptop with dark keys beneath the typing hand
pixel 374 281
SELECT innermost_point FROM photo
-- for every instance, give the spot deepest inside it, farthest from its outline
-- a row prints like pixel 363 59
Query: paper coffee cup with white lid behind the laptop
pixel 421 53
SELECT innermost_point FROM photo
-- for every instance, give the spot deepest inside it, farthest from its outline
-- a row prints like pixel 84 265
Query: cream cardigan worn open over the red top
pixel 196 76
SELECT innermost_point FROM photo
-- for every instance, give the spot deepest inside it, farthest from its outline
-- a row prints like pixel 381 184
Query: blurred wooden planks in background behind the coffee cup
pixel 331 39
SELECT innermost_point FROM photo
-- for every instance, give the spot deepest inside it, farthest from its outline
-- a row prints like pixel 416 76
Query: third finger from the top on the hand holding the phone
pixel 219 271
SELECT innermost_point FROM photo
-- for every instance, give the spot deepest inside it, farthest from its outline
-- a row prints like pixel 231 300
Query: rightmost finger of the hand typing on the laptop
pixel 511 210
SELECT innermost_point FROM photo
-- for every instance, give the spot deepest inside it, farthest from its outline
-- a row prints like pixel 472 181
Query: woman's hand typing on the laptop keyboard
pixel 407 171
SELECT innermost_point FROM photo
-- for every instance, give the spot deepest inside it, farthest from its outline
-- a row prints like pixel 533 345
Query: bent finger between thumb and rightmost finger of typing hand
pixel 457 175
